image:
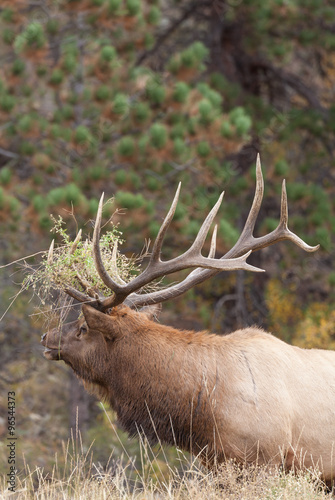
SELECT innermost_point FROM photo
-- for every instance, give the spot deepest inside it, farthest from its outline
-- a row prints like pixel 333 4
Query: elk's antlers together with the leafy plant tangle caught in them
pixel 90 270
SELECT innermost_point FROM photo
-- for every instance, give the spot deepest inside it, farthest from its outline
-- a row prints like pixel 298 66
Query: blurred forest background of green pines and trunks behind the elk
pixel 130 97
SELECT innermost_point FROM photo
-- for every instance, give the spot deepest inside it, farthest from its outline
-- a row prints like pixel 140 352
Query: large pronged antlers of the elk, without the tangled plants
pixel 206 267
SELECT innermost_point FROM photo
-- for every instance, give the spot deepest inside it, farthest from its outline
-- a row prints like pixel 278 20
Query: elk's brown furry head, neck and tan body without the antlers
pixel 247 395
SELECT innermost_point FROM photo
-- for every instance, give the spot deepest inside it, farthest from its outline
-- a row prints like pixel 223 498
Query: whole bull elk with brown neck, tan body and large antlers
pixel 246 396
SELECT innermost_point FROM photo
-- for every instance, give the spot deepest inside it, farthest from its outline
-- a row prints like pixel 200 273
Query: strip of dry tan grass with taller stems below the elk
pixel 81 479
